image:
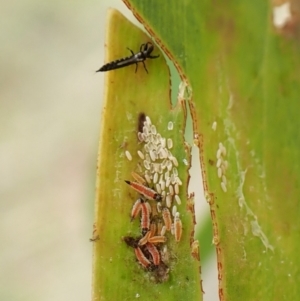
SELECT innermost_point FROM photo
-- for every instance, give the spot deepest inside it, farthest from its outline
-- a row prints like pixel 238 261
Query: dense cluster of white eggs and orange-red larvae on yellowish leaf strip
pixel 158 184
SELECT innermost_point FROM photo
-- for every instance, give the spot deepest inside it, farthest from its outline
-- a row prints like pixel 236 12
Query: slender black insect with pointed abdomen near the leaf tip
pixel 145 53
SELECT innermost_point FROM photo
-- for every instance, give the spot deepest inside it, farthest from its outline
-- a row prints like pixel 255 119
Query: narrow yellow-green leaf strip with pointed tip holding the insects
pixel 116 273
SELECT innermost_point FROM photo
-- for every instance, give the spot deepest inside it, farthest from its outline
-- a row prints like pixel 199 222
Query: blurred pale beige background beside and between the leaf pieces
pixel 50 116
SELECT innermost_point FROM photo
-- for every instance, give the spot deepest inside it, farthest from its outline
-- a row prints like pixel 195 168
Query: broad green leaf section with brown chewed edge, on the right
pixel 244 75
